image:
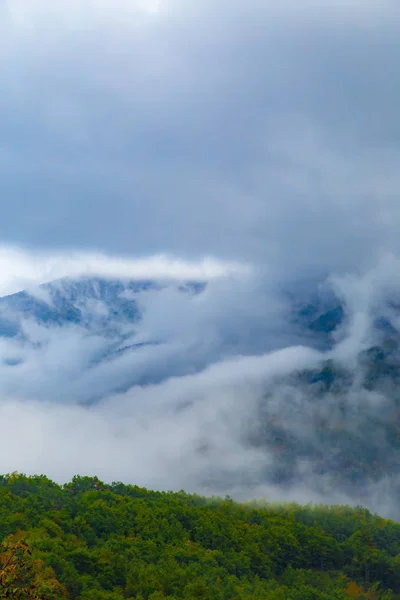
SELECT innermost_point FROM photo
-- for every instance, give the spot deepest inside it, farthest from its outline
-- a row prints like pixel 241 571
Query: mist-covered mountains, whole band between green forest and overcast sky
pixel 231 386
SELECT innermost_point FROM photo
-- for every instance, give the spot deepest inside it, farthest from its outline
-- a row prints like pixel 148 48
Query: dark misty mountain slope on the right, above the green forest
pixel 338 425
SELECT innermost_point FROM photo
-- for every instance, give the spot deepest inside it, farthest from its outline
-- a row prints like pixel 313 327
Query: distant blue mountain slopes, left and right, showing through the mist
pixel 339 421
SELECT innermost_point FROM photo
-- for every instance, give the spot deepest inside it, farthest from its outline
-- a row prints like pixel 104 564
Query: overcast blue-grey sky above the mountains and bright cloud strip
pixel 250 131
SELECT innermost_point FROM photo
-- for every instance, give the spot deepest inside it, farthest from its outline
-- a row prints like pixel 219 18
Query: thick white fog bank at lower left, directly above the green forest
pixel 146 435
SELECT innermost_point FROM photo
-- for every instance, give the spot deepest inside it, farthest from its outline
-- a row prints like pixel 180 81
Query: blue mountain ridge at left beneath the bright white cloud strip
pixel 109 309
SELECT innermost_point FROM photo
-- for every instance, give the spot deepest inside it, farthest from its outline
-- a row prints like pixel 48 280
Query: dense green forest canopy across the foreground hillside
pixel 93 541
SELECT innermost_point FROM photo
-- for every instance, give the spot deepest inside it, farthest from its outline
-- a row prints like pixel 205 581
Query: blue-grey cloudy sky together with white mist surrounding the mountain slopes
pixel 250 144
